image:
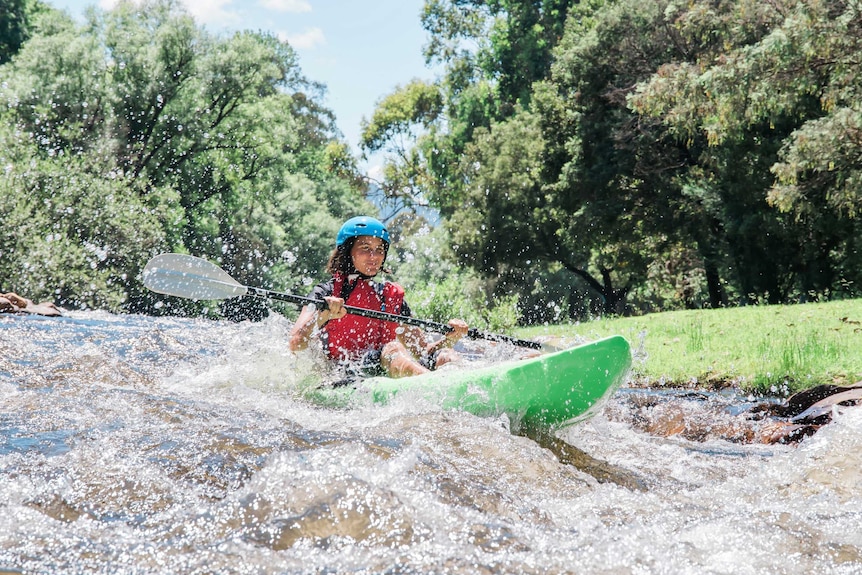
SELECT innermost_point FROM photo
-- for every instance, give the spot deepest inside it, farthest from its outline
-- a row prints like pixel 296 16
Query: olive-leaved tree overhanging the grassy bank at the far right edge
pixel 769 98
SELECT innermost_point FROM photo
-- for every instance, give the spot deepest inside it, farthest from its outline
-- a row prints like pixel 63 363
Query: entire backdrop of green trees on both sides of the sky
pixel 587 157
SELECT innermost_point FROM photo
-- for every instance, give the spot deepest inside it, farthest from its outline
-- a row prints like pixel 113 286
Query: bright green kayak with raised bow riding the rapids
pixel 556 389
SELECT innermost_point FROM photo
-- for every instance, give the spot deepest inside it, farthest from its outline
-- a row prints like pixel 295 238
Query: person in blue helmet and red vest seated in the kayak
pixel 378 347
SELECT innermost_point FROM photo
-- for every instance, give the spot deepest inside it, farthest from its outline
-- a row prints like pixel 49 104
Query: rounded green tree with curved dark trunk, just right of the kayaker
pixel 514 219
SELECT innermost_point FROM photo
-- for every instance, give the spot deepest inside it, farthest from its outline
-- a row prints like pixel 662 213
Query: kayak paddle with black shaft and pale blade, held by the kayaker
pixel 195 278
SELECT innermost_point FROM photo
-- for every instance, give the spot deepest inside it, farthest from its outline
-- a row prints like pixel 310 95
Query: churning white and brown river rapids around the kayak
pixel 139 445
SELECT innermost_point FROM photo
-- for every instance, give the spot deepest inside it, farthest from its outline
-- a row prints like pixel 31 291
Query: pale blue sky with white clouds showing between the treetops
pixel 360 49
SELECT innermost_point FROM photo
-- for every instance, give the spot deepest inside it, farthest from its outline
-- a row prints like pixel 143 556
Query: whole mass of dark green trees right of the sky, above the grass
pixel 654 133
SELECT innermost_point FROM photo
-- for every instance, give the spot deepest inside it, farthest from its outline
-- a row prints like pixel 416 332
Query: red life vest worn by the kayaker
pixel 351 336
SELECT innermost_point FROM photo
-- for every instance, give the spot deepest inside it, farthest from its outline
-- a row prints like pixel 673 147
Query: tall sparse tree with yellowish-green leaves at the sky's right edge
pixel 493 51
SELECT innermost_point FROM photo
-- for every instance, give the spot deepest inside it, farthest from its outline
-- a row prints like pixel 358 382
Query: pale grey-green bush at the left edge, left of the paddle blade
pixel 74 237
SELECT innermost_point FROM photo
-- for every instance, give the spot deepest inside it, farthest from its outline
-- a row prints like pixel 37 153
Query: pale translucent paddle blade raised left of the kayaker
pixel 190 277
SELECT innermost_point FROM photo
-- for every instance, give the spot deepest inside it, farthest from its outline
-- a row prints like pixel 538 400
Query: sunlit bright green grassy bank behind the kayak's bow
pixel 770 349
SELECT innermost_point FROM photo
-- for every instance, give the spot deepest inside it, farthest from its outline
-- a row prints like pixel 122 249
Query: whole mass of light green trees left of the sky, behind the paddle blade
pixel 140 133
